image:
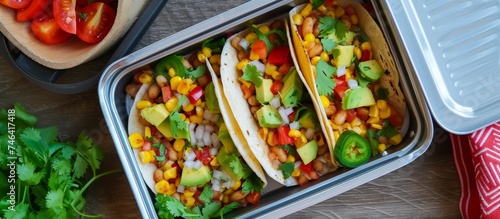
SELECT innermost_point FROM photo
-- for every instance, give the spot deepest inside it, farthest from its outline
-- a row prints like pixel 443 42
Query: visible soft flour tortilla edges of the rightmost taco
pixel 380 50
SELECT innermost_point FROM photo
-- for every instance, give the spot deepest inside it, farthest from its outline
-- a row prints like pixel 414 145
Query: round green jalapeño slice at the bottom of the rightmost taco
pixel 351 149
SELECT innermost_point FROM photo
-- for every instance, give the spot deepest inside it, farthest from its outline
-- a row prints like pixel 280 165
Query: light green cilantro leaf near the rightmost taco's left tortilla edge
pixel 324 81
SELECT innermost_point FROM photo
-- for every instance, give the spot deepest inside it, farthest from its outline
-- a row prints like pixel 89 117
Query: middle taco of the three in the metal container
pixel 272 106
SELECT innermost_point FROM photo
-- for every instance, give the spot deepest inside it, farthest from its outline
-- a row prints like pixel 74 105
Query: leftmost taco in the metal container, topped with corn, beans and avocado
pixel 188 152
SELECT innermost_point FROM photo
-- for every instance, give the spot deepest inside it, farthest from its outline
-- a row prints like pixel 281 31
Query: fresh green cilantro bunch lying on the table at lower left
pixel 48 180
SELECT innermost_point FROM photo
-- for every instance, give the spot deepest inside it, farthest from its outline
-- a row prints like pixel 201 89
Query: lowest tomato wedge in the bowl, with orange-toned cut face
pixel 46 30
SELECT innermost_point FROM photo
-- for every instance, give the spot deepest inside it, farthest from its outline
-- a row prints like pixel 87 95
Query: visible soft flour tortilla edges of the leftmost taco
pixel 147 170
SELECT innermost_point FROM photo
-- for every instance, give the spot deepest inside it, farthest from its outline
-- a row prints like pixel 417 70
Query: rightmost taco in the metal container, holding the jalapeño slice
pixel 346 62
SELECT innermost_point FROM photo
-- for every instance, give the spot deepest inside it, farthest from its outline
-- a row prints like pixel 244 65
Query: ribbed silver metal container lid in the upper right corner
pixel 453 45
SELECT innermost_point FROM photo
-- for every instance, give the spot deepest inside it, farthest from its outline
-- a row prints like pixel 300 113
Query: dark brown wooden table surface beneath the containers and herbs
pixel 428 187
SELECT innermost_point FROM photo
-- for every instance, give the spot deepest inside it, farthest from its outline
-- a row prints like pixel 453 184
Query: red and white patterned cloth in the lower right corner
pixel 477 158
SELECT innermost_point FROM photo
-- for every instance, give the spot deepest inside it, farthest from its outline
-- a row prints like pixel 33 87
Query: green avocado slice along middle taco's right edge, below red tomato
pixel 292 89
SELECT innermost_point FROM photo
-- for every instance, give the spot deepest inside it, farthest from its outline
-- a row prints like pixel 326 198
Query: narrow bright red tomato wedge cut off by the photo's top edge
pixel 65 14
